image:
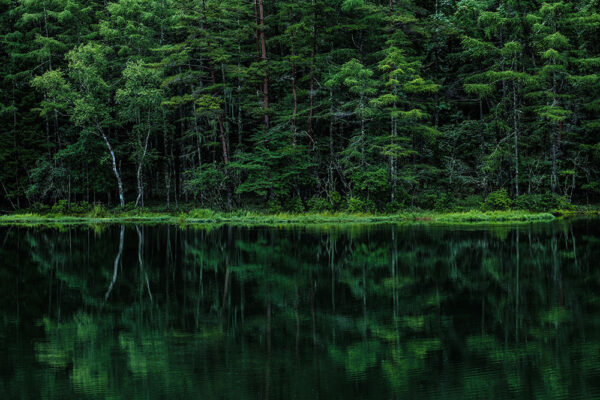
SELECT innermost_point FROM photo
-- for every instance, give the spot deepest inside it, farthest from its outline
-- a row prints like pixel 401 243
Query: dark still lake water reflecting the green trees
pixel 371 312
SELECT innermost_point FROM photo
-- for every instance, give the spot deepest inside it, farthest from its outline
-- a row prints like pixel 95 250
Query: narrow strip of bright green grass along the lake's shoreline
pixel 208 217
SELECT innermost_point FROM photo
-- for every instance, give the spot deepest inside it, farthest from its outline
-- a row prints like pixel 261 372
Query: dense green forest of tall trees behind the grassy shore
pixel 298 104
